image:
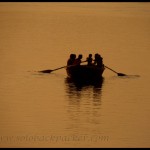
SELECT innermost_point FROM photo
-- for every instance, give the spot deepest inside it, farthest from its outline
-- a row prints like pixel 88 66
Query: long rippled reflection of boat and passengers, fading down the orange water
pixel 83 105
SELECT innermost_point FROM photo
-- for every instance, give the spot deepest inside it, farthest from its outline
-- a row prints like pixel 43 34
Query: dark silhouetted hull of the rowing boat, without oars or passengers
pixel 85 72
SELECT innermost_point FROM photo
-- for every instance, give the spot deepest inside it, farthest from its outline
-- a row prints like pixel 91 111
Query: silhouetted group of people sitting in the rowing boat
pixel 98 60
